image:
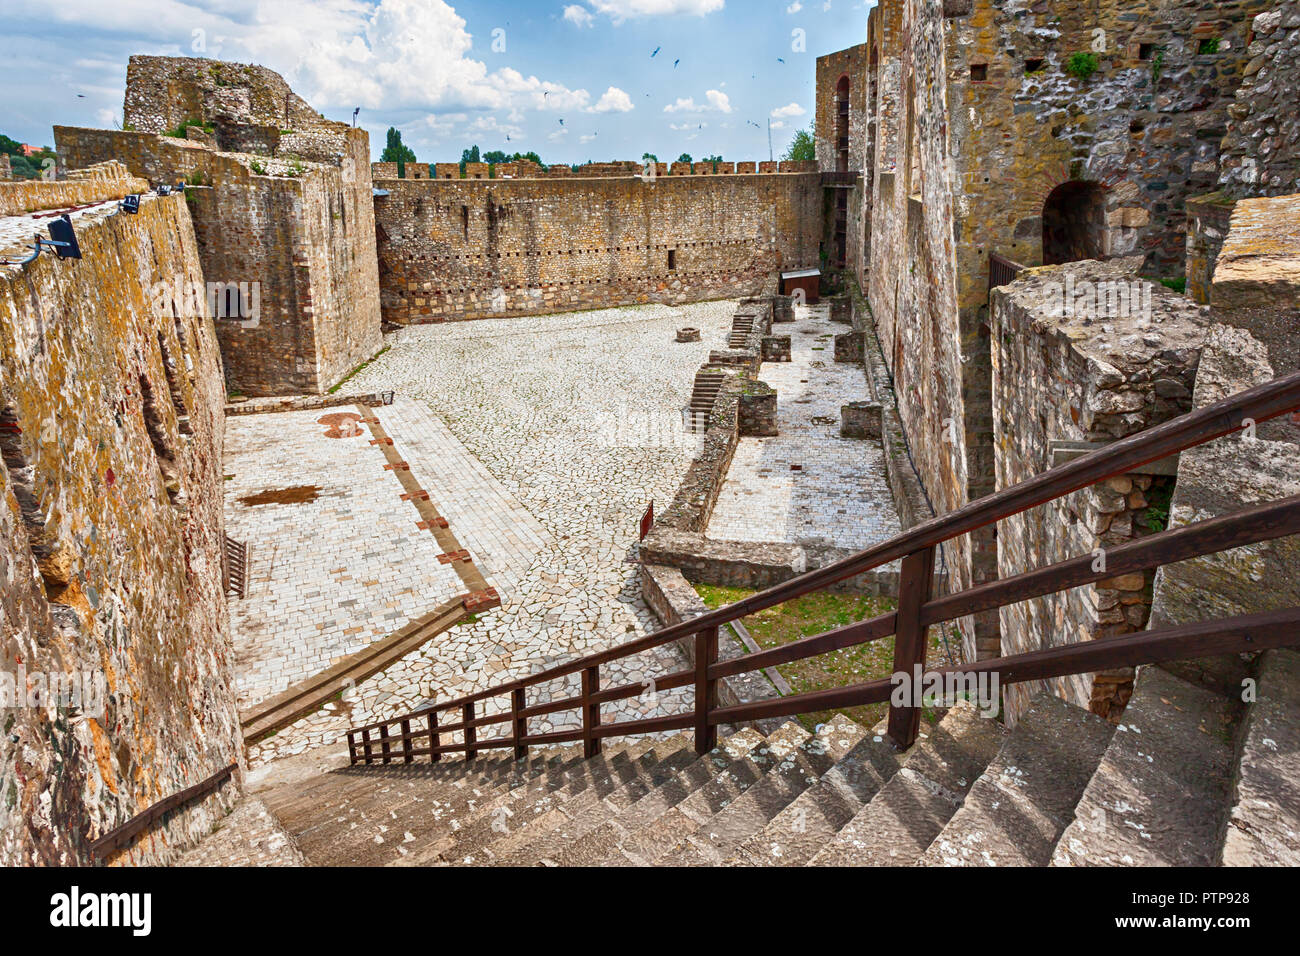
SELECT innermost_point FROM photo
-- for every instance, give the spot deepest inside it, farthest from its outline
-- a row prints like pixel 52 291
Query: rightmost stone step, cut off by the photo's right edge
pixel 1264 823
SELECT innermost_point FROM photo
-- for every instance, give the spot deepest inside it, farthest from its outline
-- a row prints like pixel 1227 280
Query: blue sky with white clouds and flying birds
pixel 625 76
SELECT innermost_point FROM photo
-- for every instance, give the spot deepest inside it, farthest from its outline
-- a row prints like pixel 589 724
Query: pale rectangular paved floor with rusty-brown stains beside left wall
pixel 330 576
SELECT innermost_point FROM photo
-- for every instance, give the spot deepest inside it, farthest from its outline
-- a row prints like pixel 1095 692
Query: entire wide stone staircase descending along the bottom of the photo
pixel 1188 778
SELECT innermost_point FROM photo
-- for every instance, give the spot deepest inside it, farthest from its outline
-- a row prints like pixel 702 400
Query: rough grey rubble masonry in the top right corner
pixel 1262 152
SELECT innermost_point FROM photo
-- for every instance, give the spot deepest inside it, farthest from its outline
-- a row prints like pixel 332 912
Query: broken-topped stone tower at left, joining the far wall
pixel 296 217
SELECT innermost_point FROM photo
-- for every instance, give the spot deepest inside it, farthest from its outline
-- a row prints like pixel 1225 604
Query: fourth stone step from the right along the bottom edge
pixel 916 804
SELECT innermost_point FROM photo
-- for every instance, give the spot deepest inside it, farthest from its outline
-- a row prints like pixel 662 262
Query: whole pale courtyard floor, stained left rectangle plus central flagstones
pixel 543 440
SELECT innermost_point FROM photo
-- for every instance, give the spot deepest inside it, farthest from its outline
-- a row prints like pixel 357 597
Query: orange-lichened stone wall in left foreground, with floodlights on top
pixel 111 539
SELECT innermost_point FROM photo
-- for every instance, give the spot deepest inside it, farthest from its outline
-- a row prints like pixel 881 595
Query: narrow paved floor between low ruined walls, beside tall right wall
pixel 839 494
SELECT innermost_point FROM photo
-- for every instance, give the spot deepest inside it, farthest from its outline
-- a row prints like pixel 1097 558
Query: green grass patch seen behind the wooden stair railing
pixel 816 615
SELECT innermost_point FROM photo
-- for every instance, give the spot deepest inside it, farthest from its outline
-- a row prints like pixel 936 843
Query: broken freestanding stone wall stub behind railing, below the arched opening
pixel 1121 360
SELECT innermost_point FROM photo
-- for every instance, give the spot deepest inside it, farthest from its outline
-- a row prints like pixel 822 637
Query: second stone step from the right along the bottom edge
pixel 1160 795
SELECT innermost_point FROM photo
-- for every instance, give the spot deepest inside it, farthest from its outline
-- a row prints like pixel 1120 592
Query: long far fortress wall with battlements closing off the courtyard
pixel 453 250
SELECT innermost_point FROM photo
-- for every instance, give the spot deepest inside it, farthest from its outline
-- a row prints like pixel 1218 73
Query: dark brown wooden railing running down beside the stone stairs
pixel 917 609
